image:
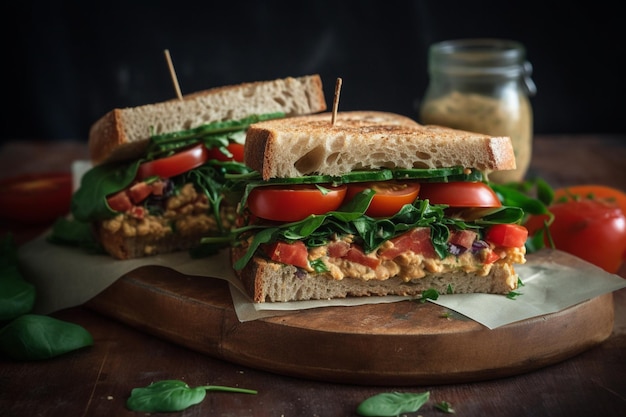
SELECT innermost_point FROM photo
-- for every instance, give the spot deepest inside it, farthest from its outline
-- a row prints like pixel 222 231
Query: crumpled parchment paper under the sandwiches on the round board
pixel 553 280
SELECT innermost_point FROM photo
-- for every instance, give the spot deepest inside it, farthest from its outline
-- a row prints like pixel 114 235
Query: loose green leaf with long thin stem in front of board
pixel 172 395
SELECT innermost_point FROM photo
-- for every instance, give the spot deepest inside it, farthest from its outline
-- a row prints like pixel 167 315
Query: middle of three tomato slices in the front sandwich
pixel 389 198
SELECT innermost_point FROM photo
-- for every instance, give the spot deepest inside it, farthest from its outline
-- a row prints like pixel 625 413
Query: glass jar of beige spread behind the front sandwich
pixel 483 86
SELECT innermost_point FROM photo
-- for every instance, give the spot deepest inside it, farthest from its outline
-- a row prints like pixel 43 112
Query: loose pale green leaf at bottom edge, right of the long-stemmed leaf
pixel 392 404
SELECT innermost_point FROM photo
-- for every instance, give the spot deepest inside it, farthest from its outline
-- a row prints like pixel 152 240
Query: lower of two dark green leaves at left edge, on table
pixel 36 337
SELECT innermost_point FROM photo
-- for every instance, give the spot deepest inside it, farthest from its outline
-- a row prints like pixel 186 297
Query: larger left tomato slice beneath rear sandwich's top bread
pixel 173 165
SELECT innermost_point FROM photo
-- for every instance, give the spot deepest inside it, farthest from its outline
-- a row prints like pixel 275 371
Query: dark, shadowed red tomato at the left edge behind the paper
pixel 36 198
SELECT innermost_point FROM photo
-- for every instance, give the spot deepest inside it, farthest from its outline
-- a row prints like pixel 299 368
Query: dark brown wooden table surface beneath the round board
pixel 96 381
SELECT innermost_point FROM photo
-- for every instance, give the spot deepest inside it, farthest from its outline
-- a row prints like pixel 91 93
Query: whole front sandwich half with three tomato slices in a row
pixel 374 204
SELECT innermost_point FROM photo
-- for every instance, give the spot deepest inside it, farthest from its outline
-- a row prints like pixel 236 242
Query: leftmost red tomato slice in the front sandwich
pixel 294 203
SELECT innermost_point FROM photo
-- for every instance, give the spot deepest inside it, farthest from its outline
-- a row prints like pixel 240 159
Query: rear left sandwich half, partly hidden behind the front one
pixel 158 169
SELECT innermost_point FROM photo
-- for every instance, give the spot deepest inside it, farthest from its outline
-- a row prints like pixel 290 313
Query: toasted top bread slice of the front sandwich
pixel 311 144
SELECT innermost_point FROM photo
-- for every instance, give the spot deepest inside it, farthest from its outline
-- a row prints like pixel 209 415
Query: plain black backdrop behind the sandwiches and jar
pixel 66 63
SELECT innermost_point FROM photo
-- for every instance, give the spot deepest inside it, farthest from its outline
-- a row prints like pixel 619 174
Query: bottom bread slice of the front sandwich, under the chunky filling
pixel 268 281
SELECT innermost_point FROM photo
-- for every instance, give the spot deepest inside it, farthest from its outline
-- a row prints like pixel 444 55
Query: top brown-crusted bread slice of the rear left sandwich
pixel 124 133
